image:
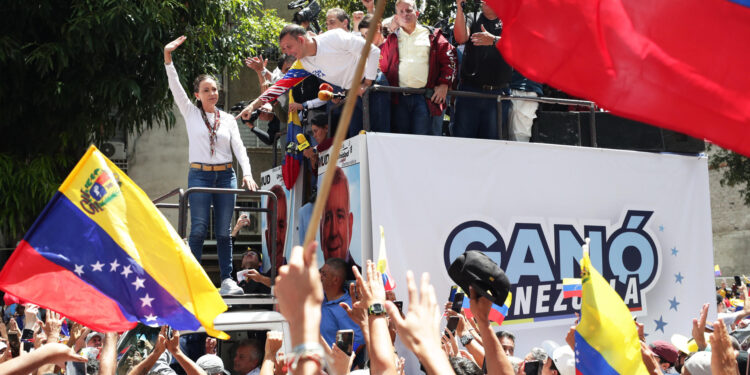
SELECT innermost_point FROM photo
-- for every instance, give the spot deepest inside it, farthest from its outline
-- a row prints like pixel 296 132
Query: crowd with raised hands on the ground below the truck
pixel 318 302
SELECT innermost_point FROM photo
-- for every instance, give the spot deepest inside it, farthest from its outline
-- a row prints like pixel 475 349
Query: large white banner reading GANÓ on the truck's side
pixel 529 206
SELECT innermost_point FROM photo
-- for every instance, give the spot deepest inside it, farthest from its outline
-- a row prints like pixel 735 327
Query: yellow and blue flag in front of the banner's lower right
pixel 606 338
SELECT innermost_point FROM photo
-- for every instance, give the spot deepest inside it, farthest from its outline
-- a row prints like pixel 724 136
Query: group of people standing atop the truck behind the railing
pixel 404 54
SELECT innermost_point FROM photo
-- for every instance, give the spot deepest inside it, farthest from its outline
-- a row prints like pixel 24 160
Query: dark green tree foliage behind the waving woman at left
pixel 76 71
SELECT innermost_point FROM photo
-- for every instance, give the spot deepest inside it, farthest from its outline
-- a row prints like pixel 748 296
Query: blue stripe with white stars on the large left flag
pixel 67 237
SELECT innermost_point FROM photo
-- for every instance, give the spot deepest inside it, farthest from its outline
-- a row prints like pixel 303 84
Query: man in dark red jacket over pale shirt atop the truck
pixel 418 57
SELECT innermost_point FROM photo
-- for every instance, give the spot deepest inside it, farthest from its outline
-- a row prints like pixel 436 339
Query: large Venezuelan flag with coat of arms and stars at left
pixel 103 255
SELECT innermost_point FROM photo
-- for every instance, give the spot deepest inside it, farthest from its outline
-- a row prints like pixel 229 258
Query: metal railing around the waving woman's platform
pixel 183 206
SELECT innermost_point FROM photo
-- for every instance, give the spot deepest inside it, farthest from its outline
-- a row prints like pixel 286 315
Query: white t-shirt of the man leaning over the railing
pixel 337 56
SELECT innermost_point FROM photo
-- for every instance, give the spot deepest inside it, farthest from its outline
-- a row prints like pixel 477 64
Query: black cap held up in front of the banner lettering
pixel 474 268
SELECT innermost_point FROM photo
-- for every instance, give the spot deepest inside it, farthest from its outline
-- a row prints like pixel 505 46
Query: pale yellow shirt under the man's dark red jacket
pixel 414 57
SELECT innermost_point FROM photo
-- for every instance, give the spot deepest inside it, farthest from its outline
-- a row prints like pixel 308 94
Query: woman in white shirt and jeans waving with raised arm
pixel 213 136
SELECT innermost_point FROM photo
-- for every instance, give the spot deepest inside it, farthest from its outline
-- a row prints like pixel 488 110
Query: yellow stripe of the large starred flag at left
pixel 138 227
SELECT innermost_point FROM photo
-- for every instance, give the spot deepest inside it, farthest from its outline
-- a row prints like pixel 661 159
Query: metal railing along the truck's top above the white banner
pixel 470 94
